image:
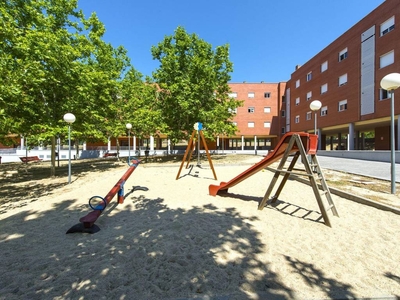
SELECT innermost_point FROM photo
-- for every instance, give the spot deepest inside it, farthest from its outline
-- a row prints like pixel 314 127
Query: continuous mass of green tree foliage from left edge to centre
pixel 54 61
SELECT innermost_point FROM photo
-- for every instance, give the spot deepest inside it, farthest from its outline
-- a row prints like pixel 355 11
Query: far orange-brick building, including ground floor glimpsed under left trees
pixel 260 122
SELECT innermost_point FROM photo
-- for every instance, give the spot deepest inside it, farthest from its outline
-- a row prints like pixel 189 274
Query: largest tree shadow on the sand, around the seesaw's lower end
pixel 152 252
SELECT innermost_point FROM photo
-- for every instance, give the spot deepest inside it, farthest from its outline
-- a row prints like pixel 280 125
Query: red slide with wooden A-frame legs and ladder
pixel 296 145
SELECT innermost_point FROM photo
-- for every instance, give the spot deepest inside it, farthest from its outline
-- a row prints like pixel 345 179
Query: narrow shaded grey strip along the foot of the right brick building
pixel 384 156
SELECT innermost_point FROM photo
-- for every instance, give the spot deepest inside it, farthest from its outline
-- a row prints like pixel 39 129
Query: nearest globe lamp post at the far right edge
pixel 391 82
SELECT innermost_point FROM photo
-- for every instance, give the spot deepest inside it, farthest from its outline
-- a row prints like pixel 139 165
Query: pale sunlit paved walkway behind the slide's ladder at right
pixel 374 169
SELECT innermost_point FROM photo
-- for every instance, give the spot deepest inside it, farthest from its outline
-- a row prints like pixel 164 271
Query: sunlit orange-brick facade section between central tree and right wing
pixel 259 120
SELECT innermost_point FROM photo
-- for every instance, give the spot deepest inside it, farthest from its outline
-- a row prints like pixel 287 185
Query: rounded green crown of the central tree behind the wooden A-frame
pixel 193 81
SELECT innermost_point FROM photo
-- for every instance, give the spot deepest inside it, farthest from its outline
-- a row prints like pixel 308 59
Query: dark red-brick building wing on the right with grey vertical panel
pixel 345 77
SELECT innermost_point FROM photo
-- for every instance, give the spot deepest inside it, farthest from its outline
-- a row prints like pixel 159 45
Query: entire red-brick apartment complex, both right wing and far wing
pixel 345 77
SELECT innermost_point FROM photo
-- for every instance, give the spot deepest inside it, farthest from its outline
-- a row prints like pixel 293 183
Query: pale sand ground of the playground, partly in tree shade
pixel 171 240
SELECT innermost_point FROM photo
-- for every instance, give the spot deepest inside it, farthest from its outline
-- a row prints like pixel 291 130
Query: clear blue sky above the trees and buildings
pixel 266 38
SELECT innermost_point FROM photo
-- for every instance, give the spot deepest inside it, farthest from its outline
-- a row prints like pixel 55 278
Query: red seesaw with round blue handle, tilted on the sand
pixel 98 203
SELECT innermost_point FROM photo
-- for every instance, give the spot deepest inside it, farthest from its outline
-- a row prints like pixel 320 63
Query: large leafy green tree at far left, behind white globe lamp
pixel 54 61
